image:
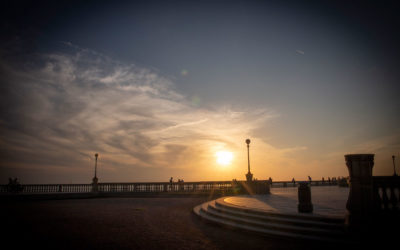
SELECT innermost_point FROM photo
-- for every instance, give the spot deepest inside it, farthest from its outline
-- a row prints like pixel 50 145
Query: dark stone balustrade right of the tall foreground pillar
pixel 386 192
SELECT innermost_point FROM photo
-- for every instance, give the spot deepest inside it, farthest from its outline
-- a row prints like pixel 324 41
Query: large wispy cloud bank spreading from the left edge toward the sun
pixel 57 113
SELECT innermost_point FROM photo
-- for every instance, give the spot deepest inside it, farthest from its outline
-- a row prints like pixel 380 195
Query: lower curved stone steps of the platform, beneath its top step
pixel 277 228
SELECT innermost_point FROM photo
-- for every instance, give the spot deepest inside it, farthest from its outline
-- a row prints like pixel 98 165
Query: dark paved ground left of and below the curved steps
pixel 123 223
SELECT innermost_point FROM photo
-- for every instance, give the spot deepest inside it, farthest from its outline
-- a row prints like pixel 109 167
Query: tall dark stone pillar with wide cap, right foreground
pixel 360 201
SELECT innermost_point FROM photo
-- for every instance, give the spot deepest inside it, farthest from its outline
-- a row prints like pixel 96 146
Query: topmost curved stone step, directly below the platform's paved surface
pixel 301 222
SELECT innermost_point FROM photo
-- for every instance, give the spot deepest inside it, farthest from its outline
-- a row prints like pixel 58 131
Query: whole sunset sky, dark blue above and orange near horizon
pixel 158 88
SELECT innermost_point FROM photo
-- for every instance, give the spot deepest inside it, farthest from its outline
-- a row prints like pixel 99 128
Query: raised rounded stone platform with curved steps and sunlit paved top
pixel 276 214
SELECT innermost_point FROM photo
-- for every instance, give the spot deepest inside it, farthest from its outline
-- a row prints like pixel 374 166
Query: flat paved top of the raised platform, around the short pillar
pixel 327 201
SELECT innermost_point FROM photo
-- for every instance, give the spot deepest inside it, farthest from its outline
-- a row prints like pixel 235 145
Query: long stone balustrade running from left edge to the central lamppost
pixel 228 187
